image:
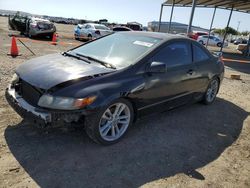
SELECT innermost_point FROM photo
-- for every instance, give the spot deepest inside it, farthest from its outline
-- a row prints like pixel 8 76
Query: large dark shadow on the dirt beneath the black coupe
pixel 157 146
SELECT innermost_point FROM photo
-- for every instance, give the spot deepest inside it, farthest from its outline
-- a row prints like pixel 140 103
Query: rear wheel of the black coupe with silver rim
pixel 211 91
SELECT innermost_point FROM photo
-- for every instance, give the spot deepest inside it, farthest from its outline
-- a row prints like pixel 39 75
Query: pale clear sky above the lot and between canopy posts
pixel 123 11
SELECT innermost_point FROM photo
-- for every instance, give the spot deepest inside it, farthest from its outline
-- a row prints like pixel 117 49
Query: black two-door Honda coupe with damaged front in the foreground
pixel 106 84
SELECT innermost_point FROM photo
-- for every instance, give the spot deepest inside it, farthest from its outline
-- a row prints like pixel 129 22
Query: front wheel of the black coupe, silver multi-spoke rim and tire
pixel 110 124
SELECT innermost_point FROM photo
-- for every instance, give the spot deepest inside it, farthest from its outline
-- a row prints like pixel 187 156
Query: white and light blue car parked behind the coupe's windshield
pixel 90 31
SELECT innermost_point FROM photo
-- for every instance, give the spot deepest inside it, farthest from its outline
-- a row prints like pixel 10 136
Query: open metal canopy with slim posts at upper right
pixel 232 5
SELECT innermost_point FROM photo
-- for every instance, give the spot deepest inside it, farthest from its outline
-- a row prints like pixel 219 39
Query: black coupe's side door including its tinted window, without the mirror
pixel 174 87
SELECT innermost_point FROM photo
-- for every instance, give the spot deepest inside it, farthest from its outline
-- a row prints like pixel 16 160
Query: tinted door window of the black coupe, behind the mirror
pixel 175 54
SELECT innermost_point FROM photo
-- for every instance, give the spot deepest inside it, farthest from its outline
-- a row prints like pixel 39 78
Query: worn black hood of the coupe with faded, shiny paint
pixel 48 71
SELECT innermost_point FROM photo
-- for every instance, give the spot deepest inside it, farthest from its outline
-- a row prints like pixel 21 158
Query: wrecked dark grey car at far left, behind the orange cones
pixel 32 26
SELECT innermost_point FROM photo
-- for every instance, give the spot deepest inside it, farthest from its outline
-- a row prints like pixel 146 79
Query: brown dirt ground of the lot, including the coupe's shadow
pixel 193 146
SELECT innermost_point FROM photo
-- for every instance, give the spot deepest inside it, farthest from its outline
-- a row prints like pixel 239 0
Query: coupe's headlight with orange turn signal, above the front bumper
pixel 64 103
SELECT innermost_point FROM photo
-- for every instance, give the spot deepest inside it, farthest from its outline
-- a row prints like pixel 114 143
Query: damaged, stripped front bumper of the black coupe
pixel 42 117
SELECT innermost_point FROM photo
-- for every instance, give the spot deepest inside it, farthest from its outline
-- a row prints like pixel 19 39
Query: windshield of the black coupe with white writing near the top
pixel 119 50
